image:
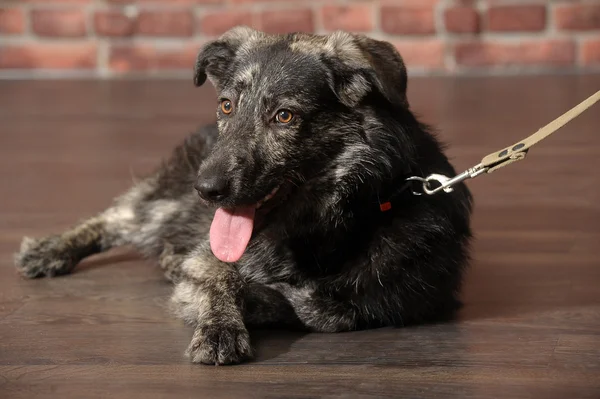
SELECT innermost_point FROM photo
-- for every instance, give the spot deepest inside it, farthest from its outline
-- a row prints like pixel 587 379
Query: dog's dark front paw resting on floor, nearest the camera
pixel 220 344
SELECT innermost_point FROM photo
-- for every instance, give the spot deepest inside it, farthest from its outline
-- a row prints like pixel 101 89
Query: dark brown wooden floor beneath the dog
pixel 530 327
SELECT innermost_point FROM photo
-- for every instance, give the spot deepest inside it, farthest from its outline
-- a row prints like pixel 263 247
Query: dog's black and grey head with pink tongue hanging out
pixel 296 119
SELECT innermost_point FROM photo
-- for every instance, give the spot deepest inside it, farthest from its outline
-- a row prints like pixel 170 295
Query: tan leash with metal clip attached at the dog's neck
pixel 506 156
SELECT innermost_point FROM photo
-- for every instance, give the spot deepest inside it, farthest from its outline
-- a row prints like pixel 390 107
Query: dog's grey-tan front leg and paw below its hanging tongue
pixel 209 297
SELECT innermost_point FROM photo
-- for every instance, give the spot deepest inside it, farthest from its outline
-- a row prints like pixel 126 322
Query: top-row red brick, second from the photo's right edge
pixel 510 18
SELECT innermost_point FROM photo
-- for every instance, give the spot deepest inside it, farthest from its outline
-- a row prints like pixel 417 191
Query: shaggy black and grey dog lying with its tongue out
pixel 292 210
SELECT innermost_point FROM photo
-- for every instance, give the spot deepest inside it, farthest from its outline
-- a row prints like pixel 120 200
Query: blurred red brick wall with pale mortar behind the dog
pixel 157 37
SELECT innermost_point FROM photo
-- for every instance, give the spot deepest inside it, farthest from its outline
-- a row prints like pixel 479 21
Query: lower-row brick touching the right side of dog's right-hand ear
pixel 427 54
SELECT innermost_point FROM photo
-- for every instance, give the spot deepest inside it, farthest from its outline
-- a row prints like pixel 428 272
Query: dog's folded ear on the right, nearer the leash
pixel 368 64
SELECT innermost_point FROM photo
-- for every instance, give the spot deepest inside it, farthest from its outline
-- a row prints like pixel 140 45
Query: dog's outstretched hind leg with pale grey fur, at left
pixel 136 217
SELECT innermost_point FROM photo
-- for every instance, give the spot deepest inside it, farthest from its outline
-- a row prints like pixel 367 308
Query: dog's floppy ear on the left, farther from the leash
pixel 215 58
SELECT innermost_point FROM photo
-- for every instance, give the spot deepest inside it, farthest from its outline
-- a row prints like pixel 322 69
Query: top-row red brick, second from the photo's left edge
pixel 58 22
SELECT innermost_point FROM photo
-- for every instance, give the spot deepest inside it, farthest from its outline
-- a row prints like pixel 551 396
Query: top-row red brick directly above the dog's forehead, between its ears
pixel 285 21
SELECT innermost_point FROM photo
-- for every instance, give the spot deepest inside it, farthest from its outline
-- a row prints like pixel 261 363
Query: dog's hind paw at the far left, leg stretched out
pixel 46 257
